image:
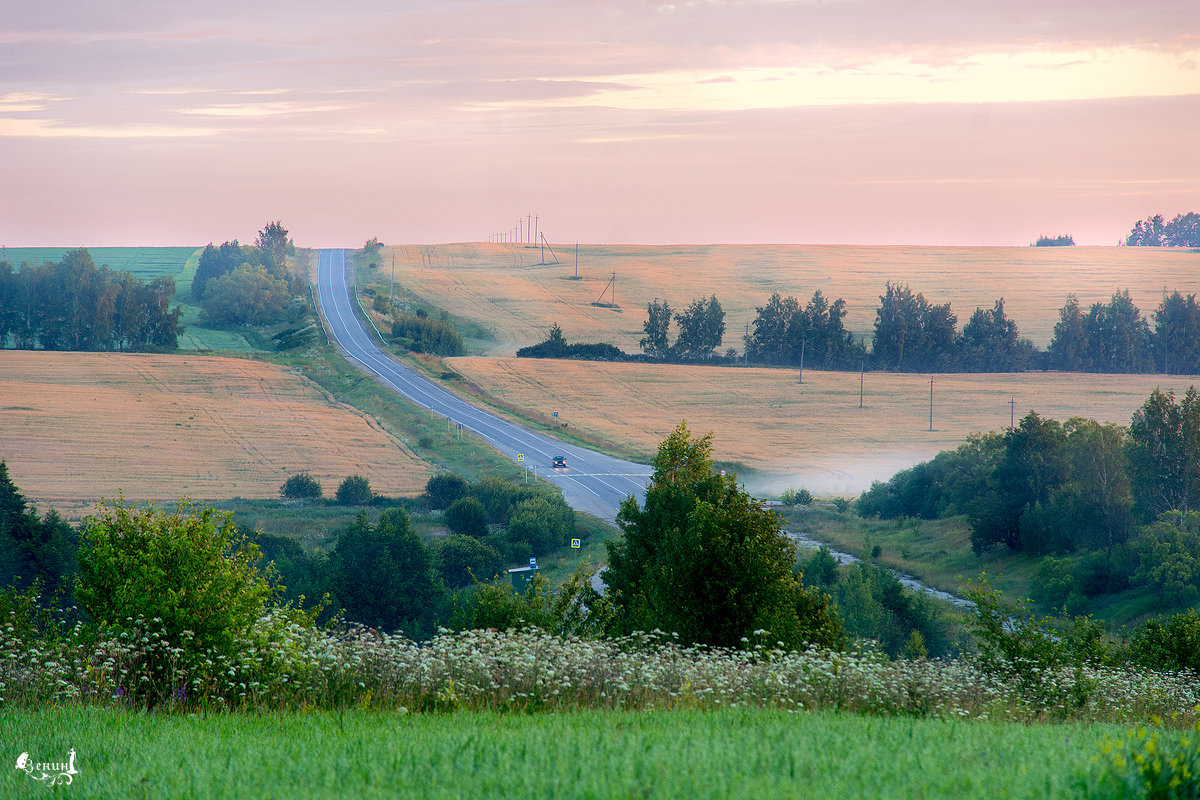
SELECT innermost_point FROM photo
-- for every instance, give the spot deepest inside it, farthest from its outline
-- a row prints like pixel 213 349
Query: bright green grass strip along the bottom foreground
pixel 739 753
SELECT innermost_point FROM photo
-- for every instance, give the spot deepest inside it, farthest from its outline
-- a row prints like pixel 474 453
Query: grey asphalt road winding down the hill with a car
pixel 592 483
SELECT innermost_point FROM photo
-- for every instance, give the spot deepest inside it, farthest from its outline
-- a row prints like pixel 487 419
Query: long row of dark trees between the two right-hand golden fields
pixel 914 334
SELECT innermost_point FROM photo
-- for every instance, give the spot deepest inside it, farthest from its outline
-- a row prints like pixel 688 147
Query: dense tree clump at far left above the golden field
pixel 75 305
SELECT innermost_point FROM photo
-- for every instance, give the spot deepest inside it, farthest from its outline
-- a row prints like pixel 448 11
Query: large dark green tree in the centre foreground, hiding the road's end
pixel 705 561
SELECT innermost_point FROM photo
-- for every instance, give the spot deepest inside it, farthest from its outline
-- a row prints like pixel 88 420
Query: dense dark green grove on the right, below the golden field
pixel 1121 506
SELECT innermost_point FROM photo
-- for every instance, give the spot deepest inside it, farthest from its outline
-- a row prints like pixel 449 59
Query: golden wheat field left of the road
pixel 76 428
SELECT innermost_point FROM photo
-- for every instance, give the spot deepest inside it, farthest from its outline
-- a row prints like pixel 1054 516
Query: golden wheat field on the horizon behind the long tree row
pixel 507 290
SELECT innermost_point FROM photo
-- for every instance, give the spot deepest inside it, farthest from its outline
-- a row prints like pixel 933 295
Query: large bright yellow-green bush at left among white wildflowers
pixel 190 574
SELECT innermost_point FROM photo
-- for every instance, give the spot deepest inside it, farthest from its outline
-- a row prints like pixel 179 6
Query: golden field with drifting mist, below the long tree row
pixel 812 435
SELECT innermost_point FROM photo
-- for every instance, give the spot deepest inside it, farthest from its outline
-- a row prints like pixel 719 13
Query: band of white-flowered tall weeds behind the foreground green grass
pixel 285 664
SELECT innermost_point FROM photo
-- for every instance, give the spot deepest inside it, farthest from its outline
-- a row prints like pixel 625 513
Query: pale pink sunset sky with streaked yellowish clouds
pixel 615 122
